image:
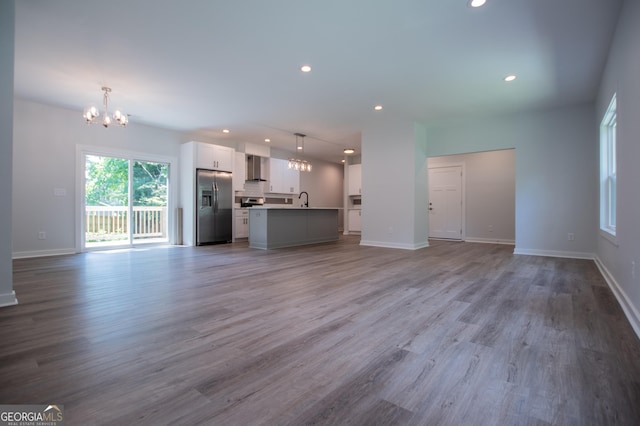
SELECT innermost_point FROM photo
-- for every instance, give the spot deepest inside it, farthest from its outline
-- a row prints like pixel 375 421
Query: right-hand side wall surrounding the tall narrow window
pixel 621 76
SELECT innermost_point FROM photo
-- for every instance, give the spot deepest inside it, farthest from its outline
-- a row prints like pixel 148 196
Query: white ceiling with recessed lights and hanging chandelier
pixel 211 64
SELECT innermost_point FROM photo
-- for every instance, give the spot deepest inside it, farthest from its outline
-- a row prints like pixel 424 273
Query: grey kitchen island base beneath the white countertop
pixel 275 227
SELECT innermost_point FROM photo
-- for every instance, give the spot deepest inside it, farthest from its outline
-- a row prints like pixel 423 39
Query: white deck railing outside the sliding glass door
pixel 111 222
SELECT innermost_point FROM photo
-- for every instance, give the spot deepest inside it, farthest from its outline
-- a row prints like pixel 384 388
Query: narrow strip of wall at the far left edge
pixel 7 24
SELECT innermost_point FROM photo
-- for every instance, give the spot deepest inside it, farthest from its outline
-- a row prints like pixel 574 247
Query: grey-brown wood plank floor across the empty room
pixel 455 334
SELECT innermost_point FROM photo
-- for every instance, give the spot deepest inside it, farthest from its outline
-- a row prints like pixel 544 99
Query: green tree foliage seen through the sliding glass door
pixel 107 182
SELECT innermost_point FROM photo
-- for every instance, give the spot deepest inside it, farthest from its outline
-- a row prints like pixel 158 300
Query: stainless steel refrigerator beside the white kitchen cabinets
pixel 214 207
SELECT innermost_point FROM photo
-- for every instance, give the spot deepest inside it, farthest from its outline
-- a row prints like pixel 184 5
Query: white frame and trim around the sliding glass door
pixel 172 196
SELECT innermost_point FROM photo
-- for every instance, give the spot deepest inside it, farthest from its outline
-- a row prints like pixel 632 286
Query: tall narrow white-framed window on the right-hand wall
pixel 608 177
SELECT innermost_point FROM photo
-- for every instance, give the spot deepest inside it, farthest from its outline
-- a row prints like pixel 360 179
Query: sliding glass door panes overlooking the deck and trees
pixel 125 201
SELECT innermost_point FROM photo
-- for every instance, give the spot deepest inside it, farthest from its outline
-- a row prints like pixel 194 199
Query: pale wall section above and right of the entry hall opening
pixel 556 172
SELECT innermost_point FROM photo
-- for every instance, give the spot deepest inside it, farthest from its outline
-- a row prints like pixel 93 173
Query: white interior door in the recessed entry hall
pixel 445 202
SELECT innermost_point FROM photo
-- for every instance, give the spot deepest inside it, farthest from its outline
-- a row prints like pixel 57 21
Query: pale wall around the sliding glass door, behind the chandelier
pixel 44 158
